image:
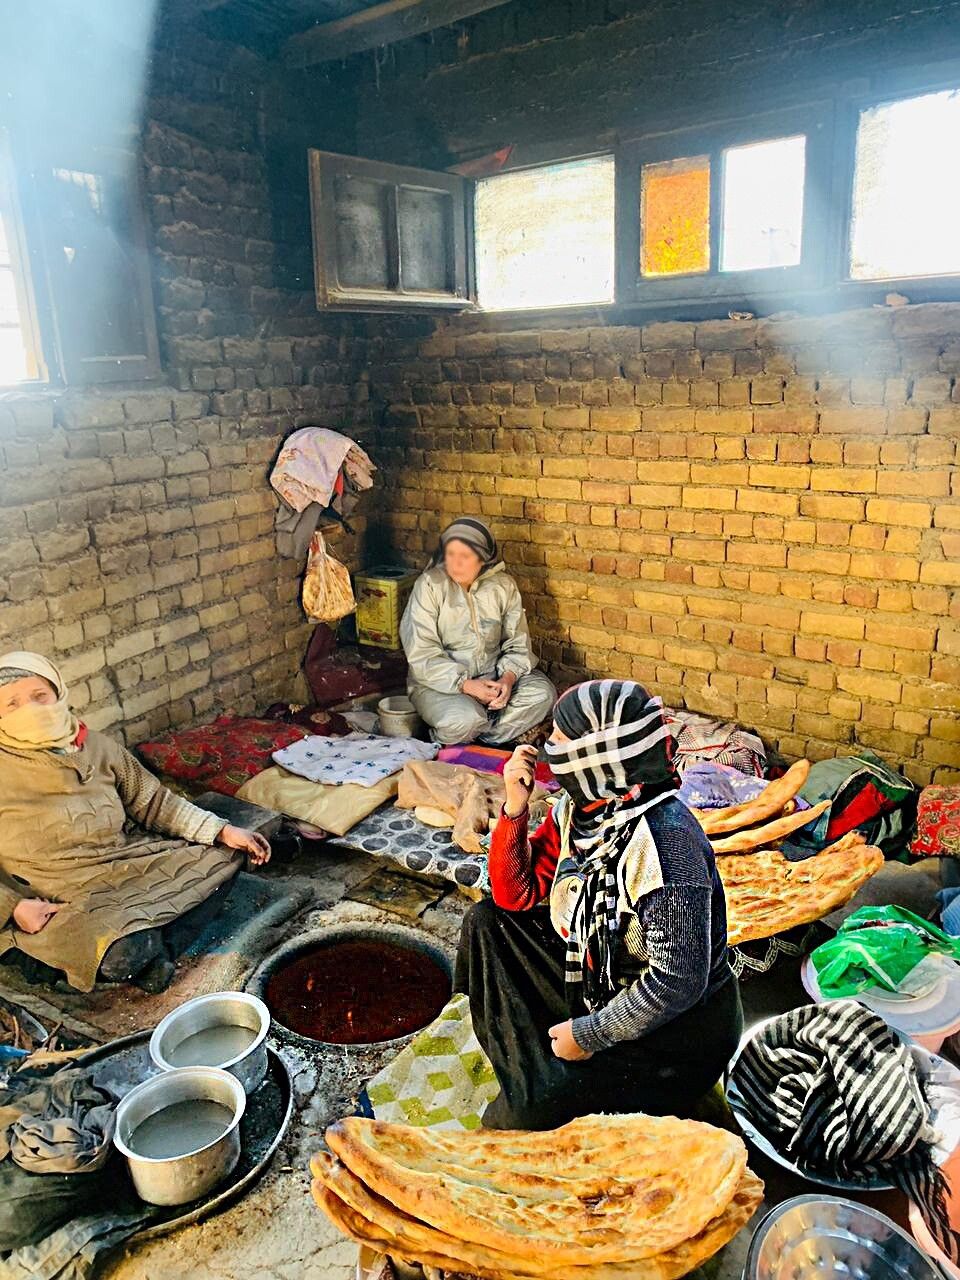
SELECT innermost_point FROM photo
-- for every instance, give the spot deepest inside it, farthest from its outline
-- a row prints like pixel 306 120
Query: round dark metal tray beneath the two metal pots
pixel 126 1063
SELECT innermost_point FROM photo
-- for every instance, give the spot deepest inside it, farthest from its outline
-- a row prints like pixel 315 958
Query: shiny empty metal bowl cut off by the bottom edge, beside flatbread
pixel 819 1237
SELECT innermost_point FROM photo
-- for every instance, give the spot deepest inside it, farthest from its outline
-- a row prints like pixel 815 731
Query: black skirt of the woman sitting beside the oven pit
pixel 511 966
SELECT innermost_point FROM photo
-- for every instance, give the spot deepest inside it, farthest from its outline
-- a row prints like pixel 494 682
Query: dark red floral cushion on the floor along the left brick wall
pixel 222 756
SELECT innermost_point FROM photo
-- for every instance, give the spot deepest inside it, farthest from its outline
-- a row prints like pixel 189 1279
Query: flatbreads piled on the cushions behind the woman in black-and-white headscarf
pixel 766 893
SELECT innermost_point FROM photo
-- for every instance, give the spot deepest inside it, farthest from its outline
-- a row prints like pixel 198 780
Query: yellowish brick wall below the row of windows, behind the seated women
pixel 760 520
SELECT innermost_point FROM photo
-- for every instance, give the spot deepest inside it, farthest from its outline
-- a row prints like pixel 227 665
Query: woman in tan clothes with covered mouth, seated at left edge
pixel 79 894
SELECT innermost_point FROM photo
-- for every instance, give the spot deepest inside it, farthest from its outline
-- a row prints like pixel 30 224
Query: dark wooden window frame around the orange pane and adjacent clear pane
pixel 815 122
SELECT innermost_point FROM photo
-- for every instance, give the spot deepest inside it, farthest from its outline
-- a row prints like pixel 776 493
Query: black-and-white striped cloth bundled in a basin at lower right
pixel 838 1092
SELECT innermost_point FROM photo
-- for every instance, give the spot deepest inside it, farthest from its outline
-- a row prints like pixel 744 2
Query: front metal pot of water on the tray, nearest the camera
pixel 190 1174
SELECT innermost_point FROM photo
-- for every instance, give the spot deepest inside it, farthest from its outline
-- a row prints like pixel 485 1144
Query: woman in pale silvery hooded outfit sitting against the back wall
pixel 472 669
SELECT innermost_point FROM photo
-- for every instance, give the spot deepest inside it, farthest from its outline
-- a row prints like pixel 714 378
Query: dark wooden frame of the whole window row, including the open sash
pixel 828 116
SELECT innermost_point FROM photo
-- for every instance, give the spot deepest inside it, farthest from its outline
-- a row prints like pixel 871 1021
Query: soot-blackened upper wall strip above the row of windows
pixel 561 70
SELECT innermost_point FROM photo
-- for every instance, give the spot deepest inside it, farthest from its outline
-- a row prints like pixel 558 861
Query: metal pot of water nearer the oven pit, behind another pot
pixel 221 1011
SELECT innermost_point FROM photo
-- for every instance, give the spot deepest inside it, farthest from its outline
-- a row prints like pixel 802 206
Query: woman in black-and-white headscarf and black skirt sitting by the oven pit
pixel 598 977
